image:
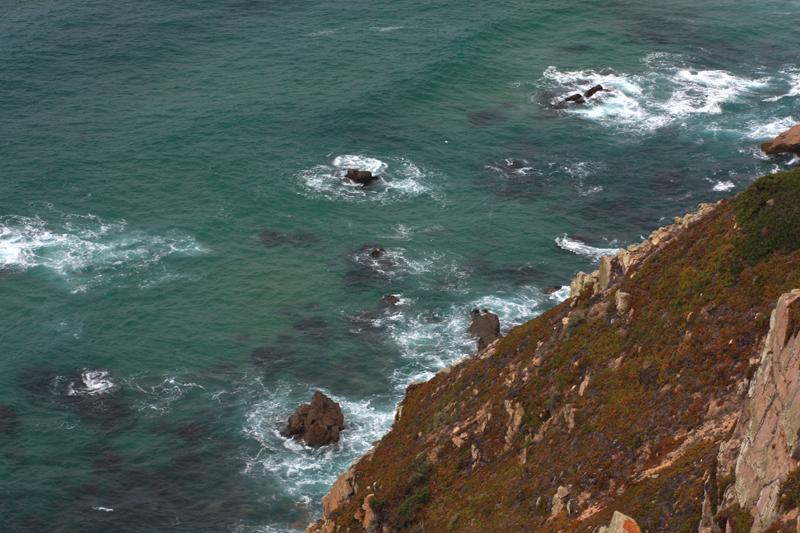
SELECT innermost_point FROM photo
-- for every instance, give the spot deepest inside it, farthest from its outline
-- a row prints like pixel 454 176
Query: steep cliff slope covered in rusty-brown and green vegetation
pixel 665 387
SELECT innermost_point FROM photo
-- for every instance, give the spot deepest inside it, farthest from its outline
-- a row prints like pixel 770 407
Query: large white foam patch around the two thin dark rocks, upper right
pixel 667 92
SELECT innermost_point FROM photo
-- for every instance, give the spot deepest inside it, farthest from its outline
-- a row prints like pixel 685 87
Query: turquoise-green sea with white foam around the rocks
pixel 181 263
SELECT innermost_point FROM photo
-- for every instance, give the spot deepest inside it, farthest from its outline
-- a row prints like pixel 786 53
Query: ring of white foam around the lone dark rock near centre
pixel 399 179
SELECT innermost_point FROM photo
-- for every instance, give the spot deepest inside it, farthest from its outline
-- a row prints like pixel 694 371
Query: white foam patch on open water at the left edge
pixel 86 249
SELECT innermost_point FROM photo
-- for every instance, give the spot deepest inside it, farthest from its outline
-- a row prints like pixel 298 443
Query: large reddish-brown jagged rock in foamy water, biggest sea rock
pixel 318 423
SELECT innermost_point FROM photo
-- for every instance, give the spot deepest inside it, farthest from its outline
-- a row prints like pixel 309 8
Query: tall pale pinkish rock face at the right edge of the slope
pixel 769 424
